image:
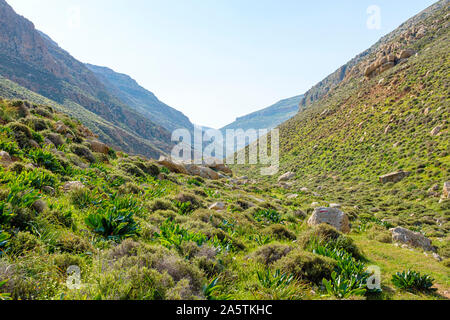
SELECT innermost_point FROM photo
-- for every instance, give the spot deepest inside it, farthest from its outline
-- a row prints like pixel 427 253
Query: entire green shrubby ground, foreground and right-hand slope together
pixel 80 220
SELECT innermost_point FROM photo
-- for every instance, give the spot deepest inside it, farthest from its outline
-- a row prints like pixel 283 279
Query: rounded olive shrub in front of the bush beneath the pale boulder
pixel 306 265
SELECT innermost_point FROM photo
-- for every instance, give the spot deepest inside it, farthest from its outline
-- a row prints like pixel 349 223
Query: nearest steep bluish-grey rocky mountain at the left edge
pixel 35 62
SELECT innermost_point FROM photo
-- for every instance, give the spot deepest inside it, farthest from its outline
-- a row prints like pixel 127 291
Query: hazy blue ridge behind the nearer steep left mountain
pixel 141 100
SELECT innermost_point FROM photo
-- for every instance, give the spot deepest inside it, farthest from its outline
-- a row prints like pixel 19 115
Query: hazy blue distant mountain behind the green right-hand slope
pixel 269 117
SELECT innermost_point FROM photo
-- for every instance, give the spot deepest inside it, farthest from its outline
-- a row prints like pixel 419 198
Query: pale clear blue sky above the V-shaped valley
pixel 216 60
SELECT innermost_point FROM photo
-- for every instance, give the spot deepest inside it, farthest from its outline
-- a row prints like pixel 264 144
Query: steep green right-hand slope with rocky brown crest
pixel 389 115
